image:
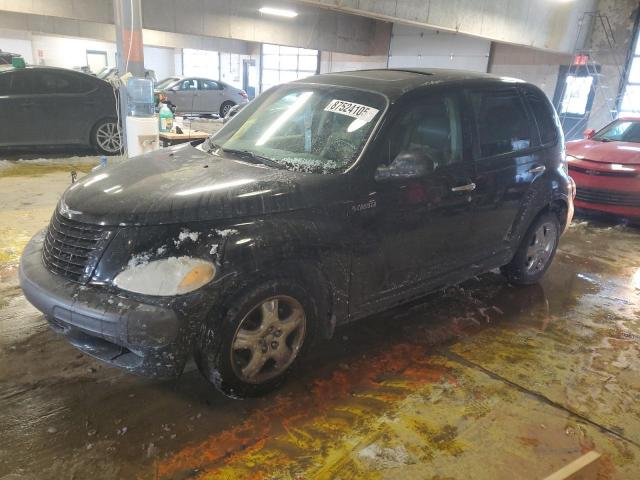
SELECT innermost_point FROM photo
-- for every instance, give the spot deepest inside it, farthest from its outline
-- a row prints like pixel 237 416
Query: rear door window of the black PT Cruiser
pixel 503 125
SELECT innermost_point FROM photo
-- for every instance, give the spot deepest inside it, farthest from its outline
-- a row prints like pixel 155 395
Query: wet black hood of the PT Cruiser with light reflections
pixel 184 184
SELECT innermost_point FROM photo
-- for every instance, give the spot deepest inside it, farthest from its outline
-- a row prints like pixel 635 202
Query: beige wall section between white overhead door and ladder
pixel 535 66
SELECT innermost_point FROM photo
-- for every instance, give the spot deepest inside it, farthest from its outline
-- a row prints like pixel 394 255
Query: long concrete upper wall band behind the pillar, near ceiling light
pixel 316 28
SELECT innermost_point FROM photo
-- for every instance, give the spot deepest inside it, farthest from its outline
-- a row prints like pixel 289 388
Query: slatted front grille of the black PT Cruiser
pixel 72 249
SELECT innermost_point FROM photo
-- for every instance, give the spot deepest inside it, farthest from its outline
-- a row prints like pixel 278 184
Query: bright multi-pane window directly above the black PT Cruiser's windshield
pixel 285 64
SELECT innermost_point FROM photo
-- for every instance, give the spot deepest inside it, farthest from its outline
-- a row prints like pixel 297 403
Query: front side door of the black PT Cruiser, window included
pixel 419 234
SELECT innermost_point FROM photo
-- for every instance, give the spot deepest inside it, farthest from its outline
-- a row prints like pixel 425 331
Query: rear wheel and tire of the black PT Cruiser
pixel 536 252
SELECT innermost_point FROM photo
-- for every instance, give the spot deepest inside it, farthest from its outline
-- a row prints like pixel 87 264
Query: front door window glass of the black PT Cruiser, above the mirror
pixel 432 127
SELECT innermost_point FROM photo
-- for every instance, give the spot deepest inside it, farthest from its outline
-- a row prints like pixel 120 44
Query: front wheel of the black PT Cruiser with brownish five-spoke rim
pixel 239 348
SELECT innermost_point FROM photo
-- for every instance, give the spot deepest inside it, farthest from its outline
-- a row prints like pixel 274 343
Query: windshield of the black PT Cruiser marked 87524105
pixel 305 128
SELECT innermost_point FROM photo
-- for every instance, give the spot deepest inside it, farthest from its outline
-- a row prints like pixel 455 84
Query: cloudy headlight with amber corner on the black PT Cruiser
pixel 169 276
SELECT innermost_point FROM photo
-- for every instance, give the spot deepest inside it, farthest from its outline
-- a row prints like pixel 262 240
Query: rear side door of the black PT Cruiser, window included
pixel 508 159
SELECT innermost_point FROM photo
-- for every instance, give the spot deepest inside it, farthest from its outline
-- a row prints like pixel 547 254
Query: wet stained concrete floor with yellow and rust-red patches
pixel 483 381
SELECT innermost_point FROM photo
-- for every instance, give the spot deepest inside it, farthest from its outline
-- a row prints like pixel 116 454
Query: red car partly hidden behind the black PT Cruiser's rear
pixel 606 168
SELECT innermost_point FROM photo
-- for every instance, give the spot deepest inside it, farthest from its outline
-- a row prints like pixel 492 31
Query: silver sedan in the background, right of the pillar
pixel 200 95
